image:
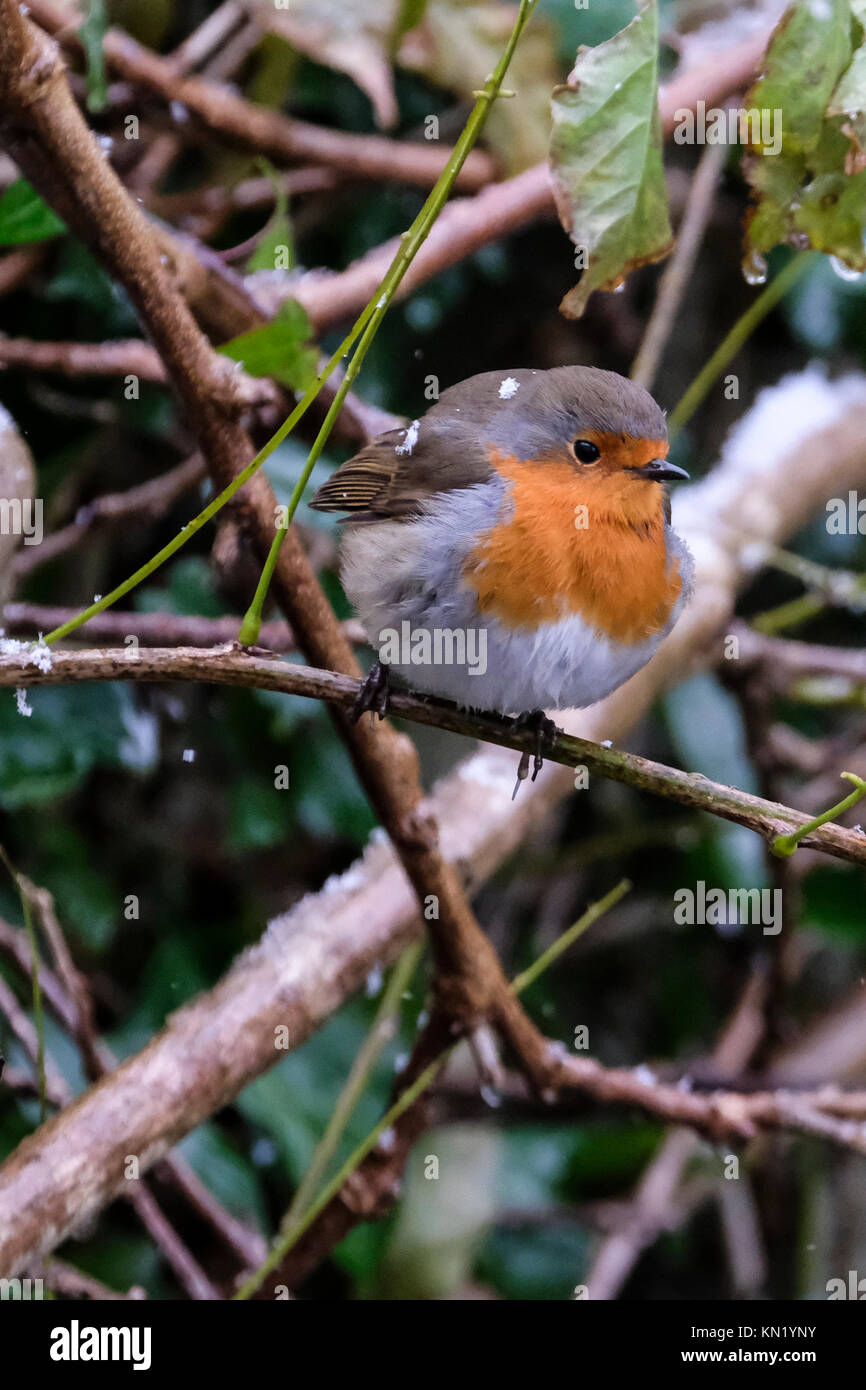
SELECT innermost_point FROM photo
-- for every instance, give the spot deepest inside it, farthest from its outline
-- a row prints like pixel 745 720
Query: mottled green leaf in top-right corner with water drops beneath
pixel 812 190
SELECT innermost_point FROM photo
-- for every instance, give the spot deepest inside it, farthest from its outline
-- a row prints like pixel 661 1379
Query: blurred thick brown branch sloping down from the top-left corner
pixel 263 130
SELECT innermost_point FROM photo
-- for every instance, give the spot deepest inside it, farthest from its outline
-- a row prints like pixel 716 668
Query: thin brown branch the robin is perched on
pixel 233 665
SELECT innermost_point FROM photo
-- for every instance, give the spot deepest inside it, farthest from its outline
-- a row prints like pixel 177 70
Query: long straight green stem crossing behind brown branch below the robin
pixel 400 1109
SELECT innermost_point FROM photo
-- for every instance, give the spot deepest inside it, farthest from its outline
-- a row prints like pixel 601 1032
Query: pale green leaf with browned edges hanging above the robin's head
pixel 607 159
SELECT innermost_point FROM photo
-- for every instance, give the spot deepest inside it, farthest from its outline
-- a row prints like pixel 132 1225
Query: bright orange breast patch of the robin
pixel 611 569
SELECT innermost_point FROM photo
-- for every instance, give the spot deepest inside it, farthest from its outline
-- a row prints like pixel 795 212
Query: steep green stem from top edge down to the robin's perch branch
pixel 411 244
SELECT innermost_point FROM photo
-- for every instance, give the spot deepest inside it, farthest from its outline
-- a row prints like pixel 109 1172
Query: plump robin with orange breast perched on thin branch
pixel 512 551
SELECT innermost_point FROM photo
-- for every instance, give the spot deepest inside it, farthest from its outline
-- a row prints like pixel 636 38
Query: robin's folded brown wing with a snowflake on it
pixel 402 469
